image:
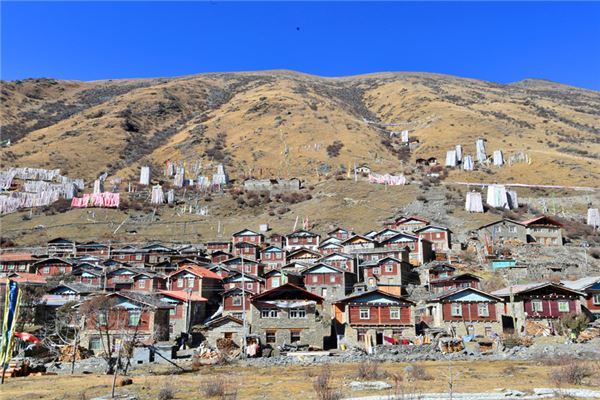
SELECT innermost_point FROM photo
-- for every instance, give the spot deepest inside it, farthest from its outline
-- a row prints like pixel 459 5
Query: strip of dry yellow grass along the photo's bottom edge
pixel 291 383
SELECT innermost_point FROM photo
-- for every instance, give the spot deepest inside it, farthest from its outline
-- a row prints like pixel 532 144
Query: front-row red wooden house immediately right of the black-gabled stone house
pixel 384 317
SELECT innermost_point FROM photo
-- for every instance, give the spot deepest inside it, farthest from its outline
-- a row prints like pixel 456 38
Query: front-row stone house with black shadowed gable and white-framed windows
pixel 289 314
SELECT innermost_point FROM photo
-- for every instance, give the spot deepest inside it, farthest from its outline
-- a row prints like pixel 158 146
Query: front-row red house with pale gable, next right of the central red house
pixel 466 311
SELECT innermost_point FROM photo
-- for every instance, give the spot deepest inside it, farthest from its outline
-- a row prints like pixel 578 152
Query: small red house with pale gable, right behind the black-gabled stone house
pixel 331 283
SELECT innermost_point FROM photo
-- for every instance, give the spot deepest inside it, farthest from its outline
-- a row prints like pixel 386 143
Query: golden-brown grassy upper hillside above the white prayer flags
pixel 248 119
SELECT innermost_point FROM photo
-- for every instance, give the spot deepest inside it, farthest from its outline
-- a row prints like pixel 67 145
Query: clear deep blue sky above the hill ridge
pixel 501 42
